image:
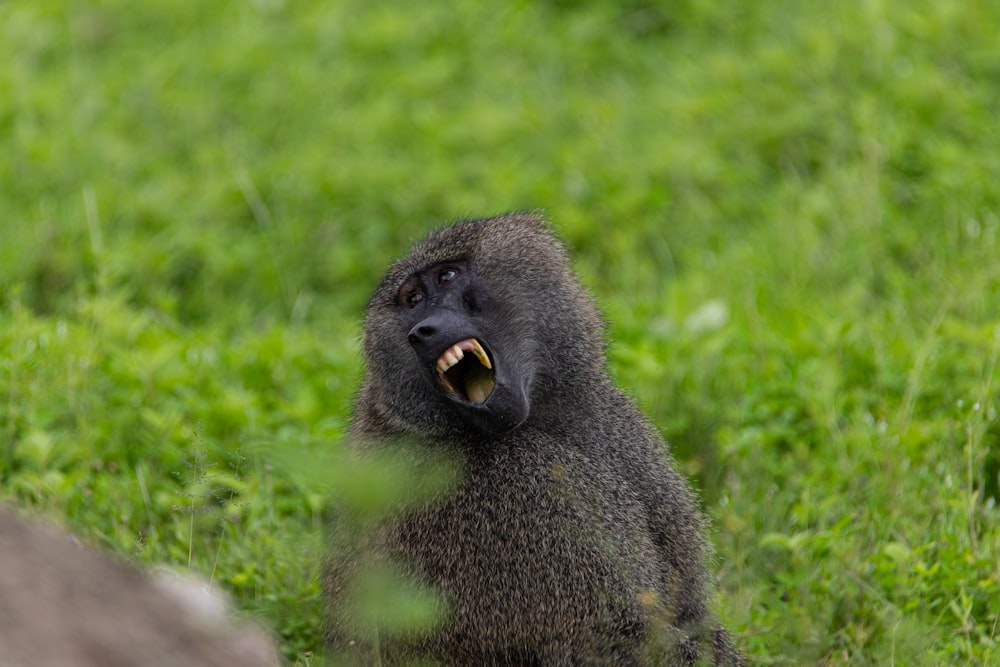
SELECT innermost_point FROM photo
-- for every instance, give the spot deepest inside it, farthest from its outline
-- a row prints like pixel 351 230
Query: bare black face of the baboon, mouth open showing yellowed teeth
pixel 455 327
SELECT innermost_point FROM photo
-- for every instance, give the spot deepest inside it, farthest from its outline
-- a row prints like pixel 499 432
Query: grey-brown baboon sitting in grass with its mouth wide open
pixel 570 538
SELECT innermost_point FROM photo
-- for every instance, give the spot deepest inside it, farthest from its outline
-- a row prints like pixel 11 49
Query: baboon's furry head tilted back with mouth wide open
pixel 478 325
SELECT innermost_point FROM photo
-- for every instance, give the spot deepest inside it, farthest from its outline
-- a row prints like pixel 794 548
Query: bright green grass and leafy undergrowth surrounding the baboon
pixel 789 211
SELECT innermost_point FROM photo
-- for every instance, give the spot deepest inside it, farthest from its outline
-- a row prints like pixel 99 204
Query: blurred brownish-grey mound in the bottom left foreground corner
pixel 64 605
